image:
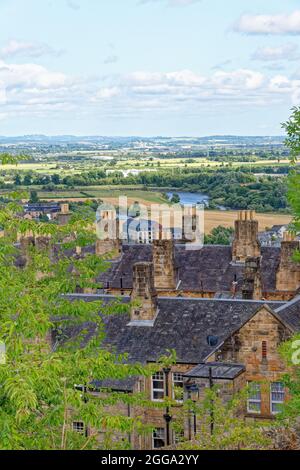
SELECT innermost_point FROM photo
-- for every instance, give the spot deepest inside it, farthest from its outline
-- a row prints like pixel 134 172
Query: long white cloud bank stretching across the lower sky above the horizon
pixel 32 90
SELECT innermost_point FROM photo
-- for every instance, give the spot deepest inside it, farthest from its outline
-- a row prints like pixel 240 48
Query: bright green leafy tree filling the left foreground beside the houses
pixel 38 398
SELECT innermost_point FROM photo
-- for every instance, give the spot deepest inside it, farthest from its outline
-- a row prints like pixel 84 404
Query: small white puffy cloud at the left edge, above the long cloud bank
pixel 26 49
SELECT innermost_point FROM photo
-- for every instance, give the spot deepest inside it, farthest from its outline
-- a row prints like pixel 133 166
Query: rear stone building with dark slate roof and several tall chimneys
pixel 243 270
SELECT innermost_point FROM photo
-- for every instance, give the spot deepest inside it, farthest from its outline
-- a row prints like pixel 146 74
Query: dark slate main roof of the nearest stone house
pixel 182 324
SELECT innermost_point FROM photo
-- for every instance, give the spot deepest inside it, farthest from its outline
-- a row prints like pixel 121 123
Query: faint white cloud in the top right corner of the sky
pixel 269 24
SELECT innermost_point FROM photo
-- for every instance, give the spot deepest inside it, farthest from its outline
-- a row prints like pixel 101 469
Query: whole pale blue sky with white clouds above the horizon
pixel 148 67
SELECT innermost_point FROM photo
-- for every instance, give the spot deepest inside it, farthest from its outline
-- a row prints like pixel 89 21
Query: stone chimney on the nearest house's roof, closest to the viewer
pixel 143 297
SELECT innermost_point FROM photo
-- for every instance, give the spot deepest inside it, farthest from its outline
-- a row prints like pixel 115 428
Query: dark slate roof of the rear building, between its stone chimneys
pixel 207 269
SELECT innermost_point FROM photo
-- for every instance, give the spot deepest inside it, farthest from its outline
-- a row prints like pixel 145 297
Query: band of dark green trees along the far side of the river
pixel 235 189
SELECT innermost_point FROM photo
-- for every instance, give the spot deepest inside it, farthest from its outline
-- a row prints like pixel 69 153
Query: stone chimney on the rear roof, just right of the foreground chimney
pixel 164 263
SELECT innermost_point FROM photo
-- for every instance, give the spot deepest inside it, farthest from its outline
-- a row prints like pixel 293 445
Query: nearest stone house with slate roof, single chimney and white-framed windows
pixel 233 342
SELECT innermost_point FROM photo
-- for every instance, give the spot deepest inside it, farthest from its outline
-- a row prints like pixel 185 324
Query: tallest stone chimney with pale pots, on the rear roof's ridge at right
pixel 245 243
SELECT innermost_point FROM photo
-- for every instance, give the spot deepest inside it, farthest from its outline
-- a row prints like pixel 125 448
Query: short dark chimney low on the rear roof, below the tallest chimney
pixel 252 285
